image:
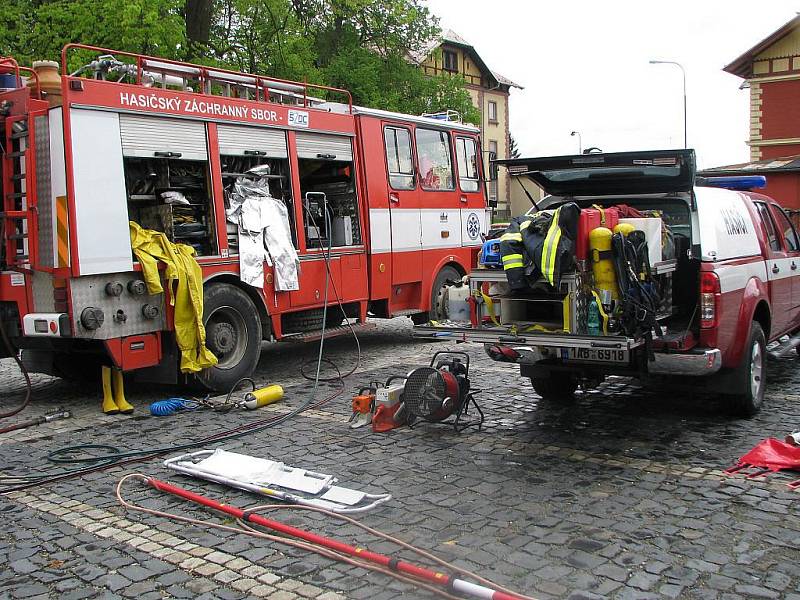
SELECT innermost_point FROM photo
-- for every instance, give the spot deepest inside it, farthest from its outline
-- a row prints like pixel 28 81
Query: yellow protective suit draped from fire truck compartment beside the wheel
pixel 185 283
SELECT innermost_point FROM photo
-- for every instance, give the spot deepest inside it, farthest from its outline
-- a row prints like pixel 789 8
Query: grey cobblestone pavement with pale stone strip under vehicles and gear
pixel 617 495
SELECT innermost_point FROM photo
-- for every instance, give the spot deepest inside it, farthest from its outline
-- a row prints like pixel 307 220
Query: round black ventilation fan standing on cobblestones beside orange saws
pixel 436 393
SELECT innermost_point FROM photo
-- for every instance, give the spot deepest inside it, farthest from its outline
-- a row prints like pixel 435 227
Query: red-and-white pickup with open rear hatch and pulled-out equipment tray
pixel 724 283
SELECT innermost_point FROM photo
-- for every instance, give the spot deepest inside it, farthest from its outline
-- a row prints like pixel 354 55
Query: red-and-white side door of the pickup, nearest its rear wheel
pixel 779 273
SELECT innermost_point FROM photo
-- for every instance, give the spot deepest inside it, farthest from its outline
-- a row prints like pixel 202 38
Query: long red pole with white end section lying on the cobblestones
pixel 440 579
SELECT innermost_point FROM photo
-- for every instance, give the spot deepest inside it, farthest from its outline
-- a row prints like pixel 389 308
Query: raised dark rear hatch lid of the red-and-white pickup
pixel 647 172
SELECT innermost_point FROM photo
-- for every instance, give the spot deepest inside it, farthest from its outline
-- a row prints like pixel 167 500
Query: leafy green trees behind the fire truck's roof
pixel 359 45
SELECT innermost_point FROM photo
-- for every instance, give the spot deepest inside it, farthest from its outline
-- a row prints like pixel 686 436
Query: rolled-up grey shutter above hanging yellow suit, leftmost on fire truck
pixel 144 136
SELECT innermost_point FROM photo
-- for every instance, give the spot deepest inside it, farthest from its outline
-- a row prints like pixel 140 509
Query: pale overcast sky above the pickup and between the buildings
pixel 584 65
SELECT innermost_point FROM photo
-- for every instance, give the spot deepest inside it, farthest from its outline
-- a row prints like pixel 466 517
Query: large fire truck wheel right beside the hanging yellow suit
pixel 233 334
